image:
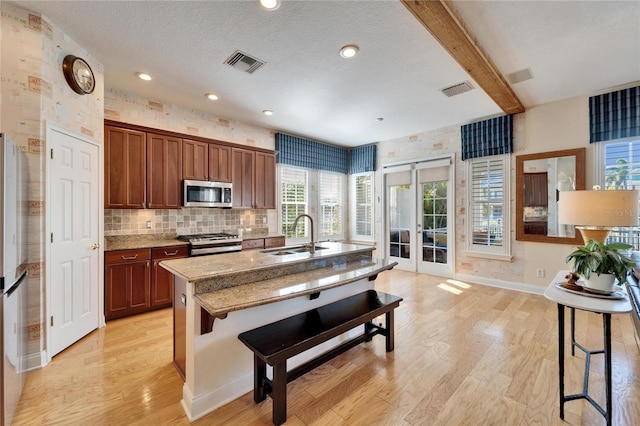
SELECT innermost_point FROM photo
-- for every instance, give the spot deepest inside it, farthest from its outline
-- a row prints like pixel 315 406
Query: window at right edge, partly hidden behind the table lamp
pixel 619 168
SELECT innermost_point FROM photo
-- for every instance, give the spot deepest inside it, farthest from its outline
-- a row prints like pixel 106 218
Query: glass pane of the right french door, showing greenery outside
pixel 434 222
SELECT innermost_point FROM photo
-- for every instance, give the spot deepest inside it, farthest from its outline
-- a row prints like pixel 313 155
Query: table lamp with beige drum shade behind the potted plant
pixel 595 211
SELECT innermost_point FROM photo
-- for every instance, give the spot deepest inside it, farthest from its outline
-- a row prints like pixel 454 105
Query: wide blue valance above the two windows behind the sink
pixel 300 152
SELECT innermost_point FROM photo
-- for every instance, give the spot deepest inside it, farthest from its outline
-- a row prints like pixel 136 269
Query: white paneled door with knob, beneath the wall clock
pixel 74 226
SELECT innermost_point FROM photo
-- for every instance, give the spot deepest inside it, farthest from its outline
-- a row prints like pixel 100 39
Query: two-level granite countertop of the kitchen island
pixel 229 282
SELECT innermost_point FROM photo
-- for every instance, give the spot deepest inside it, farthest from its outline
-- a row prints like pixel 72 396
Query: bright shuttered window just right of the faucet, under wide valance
pixel 331 202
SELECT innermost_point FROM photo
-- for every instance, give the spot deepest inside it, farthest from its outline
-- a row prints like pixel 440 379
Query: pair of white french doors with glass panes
pixel 419 216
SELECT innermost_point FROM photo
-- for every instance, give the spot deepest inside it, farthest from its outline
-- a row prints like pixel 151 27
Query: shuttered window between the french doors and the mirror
pixel 488 195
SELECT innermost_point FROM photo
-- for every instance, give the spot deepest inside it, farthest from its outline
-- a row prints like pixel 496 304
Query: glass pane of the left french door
pixel 400 221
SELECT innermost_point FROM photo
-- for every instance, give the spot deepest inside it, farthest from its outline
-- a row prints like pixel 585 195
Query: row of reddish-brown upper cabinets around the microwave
pixel 144 168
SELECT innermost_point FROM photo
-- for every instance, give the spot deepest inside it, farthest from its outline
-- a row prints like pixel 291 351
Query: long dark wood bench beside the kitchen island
pixel 275 343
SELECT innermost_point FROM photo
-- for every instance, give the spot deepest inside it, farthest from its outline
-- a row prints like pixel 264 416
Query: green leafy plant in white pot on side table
pixel 600 264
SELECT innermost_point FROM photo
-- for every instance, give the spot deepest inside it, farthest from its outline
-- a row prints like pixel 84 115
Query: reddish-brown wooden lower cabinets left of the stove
pixel 133 285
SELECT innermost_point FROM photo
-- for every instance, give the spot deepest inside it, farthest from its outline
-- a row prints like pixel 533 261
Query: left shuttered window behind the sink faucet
pixel 293 198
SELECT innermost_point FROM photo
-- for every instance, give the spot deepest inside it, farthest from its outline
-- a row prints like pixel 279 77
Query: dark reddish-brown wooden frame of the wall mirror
pixel 579 183
